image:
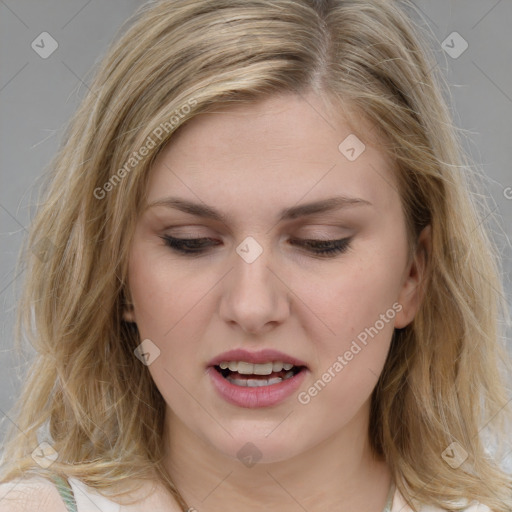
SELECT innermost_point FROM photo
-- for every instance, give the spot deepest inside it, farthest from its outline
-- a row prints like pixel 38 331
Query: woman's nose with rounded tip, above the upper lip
pixel 254 297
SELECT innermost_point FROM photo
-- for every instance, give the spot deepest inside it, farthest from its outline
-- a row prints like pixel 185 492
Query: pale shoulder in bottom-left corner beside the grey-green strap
pixel 28 494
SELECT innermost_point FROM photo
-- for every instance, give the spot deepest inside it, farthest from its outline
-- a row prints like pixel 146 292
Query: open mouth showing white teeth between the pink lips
pixel 251 375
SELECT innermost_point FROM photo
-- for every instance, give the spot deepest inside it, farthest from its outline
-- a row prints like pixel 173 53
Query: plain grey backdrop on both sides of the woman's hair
pixel 37 97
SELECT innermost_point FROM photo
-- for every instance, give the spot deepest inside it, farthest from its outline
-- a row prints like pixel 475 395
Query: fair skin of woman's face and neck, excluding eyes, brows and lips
pixel 250 162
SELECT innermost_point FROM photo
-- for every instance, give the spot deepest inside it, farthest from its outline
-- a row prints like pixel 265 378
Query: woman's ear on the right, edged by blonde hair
pixel 412 291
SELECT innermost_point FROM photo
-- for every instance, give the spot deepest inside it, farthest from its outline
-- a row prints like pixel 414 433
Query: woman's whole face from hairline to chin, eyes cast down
pixel 254 283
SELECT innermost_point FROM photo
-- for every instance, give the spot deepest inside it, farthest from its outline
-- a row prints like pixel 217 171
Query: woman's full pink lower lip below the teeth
pixel 252 398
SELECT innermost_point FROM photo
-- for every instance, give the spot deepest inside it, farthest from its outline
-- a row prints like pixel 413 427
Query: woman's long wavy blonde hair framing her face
pixel 175 60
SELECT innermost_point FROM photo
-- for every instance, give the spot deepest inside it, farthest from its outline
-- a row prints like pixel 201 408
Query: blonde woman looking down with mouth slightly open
pixel 263 280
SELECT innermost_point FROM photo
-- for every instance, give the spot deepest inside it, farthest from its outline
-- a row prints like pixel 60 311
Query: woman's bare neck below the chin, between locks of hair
pixel 335 474
